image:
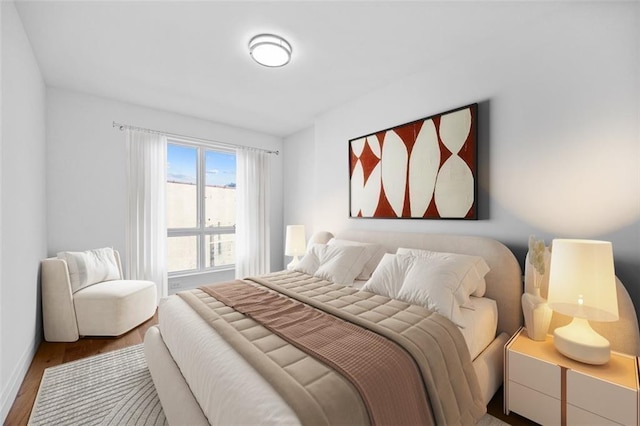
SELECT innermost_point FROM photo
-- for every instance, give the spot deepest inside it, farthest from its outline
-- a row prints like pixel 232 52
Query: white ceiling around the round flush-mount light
pixel 192 57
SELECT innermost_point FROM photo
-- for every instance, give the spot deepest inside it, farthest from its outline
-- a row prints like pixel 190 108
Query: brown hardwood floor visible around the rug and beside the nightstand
pixel 51 354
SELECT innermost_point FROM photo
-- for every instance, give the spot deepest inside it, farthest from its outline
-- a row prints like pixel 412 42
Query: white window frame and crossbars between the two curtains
pixel 201 231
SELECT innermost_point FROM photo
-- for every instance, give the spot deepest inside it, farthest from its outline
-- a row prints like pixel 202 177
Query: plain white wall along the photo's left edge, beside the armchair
pixel 23 200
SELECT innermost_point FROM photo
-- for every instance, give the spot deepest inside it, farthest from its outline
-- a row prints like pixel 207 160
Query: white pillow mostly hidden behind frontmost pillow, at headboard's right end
pixel 472 269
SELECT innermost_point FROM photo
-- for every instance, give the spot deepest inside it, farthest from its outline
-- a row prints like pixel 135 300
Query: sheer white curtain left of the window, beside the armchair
pixel 146 229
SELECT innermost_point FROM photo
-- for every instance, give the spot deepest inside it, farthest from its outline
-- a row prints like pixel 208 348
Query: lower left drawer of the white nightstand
pixel 534 405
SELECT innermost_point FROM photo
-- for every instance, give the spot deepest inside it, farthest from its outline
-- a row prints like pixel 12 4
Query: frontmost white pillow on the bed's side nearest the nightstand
pixel 432 283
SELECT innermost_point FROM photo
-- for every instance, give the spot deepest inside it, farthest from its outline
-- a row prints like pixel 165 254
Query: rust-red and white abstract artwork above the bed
pixel 425 169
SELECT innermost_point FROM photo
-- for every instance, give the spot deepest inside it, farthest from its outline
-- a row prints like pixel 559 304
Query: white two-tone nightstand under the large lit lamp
pixel 544 386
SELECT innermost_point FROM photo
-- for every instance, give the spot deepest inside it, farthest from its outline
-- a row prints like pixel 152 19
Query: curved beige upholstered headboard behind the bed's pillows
pixel 504 281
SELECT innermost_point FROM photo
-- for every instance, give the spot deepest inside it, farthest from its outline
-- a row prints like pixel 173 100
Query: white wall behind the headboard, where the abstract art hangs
pixel 559 137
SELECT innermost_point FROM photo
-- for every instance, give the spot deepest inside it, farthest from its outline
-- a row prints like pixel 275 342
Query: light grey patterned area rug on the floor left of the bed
pixel 114 388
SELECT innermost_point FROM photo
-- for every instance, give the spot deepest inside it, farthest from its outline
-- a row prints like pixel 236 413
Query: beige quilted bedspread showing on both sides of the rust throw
pixel 319 395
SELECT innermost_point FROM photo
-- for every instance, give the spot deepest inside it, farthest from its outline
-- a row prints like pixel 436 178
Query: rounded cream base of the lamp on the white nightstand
pixel 580 342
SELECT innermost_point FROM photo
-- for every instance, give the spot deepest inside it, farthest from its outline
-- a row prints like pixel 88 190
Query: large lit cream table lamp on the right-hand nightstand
pixel 582 285
